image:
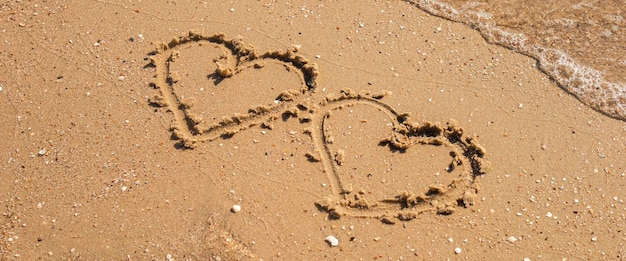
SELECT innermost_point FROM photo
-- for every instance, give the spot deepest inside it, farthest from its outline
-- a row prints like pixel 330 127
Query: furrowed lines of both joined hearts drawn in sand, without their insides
pixel 235 57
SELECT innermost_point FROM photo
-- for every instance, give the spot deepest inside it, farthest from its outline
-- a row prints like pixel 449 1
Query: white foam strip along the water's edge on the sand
pixel 584 82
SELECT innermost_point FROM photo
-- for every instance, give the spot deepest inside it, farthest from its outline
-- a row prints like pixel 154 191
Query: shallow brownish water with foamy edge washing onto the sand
pixel 581 45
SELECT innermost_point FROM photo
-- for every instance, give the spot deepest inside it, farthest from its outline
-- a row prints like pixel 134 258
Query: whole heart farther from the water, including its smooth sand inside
pixel 195 73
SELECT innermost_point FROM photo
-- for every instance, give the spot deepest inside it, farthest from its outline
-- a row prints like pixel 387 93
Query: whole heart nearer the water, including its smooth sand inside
pixel 383 165
